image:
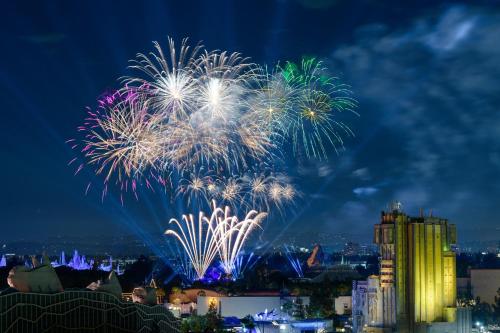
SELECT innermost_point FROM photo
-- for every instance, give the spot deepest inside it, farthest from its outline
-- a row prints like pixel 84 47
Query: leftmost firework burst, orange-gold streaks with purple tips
pixel 122 140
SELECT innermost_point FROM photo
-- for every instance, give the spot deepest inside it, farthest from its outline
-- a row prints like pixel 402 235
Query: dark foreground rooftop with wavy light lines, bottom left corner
pixel 81 311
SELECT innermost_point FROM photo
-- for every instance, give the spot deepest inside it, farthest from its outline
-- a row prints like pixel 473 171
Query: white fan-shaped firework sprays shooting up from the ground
pixel 222 234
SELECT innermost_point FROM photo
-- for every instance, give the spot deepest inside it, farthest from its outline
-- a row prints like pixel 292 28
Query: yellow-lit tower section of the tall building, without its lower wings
pixel 417 270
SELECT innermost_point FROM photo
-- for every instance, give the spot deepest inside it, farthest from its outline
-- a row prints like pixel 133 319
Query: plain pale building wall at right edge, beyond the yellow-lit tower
pixel 484 284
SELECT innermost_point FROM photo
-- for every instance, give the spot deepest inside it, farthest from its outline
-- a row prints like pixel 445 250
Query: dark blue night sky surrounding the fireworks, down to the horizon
pixel 426 75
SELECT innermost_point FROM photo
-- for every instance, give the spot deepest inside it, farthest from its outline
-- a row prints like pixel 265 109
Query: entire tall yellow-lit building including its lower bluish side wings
pixel 416 288
